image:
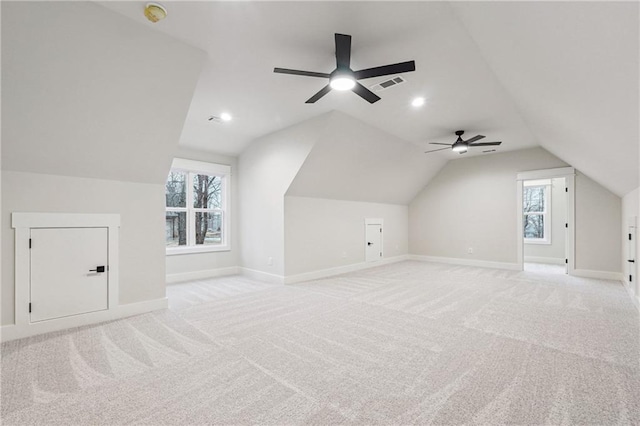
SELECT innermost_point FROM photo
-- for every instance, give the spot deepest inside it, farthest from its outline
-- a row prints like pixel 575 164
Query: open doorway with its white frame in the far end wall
pixel 545 222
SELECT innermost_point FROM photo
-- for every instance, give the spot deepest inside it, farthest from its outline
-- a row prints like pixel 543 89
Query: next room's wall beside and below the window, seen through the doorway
pixel 554 252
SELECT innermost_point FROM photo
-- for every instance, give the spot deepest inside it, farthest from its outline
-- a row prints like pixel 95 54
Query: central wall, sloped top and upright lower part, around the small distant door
pixel 354 171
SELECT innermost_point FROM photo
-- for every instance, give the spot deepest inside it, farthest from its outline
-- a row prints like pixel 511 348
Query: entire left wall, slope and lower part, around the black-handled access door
pixel 92 108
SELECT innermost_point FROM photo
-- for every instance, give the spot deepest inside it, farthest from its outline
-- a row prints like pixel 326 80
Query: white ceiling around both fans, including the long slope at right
pixel 563 76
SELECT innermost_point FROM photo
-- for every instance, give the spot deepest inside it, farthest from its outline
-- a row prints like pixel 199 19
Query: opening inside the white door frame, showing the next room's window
pixel 545 225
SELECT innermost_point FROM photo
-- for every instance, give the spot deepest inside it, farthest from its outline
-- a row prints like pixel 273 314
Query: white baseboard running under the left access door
pixel 13 332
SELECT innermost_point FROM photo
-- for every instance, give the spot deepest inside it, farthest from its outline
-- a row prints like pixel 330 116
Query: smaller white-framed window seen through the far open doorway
pixel 536 208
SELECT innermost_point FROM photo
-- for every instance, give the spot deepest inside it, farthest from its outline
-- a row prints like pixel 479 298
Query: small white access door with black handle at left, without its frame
pixel 69 272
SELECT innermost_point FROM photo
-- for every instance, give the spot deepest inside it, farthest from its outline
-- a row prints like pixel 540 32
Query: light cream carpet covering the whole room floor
pixel 407 343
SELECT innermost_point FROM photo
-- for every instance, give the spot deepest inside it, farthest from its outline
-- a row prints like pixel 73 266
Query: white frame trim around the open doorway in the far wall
pixel 569 174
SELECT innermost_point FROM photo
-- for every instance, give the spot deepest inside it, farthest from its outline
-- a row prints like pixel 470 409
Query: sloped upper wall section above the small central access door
pixel 357 162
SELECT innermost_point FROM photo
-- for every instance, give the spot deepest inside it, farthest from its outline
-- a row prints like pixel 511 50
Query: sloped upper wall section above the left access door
pixel 88 92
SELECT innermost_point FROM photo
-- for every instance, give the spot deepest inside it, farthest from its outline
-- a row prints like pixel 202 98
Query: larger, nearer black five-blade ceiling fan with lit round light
pixel 344 78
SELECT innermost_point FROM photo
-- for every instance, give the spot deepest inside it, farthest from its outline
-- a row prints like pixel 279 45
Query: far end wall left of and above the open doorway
pixel 471 203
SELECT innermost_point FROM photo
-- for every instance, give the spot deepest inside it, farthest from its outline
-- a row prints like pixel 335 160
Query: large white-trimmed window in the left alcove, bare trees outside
pixel 196 207
